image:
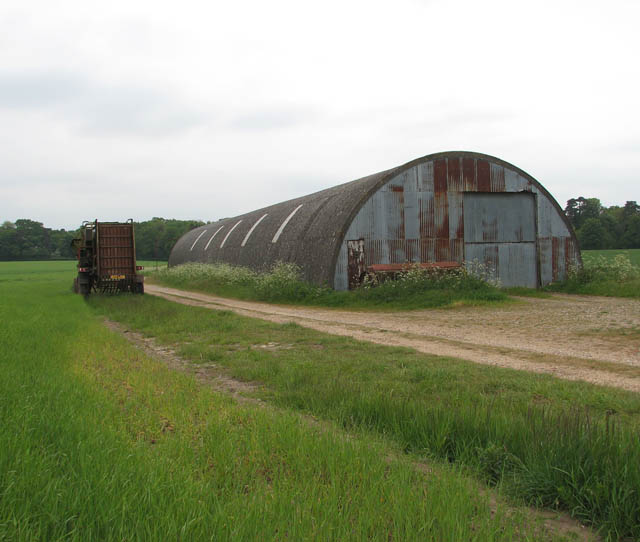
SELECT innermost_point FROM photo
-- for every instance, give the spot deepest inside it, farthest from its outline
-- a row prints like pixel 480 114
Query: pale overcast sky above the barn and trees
pixel 210 109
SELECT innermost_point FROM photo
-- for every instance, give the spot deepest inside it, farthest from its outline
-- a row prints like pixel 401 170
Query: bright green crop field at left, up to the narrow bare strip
pixel 98 442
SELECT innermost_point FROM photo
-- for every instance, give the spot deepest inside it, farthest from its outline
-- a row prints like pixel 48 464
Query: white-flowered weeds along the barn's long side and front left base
pixel 415 288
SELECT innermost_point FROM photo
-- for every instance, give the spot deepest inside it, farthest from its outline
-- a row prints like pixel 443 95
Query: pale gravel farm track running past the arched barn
pixel 595 339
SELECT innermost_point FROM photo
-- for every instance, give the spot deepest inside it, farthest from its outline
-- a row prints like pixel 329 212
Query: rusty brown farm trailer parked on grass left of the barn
pixel 106 253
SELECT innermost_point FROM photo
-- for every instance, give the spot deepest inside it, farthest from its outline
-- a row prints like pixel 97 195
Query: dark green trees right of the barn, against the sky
pixel 600 227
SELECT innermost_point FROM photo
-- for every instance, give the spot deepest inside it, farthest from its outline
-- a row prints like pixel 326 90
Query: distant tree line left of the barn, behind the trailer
pixel 27 239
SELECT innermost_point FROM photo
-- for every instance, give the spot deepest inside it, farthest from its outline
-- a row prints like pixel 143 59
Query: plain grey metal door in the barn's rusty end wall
pixel 500 231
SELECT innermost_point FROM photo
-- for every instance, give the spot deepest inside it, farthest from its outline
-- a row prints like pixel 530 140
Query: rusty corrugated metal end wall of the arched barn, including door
pixel 508 242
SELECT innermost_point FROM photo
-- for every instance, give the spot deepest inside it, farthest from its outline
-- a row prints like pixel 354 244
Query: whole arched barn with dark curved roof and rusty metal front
pixel 442 208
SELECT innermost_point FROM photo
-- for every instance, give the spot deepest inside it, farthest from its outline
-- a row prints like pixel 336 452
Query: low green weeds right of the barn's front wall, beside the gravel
pixel 603 274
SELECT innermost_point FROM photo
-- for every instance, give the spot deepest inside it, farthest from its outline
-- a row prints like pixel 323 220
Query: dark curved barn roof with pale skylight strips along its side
pixel 308 230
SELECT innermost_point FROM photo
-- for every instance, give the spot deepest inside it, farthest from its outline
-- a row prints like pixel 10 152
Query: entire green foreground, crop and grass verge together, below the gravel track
pixel 265 431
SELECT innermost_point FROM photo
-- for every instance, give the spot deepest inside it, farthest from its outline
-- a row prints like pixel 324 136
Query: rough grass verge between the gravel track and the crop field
pixel 549 442
